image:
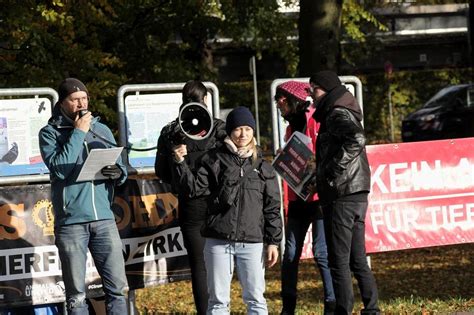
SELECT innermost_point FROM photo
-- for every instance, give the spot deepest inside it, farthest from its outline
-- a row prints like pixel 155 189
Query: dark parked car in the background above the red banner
pixel 448 114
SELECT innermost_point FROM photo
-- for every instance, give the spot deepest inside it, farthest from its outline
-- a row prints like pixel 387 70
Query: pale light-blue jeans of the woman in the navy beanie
pixel 219 256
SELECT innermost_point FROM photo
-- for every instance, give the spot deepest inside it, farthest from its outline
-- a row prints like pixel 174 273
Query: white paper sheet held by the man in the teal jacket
pixel 97 159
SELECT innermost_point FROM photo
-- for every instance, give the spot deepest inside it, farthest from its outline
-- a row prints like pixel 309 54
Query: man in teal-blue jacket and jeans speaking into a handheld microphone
pixel 83 216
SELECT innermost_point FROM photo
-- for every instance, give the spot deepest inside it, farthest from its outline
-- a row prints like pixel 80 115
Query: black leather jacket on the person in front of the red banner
pixel 342 167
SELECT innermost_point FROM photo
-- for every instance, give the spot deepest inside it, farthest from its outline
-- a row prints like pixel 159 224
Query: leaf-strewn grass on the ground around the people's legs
pixel 437 280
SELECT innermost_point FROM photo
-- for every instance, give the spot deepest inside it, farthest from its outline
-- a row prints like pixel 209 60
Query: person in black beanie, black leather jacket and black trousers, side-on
pixel 343 185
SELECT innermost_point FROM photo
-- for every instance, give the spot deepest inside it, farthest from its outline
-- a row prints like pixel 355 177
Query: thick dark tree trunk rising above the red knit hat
pixel 319 33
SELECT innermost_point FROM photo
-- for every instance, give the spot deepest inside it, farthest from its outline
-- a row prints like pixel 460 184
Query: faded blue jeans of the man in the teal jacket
pixel 103 241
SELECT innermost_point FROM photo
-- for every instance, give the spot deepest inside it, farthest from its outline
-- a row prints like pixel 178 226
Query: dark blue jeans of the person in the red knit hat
pixel 296 229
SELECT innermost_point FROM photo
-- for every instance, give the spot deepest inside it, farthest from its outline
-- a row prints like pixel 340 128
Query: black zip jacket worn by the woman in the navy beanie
pixel 255 216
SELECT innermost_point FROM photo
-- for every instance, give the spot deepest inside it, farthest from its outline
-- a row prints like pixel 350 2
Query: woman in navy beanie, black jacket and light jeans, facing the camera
pixel 244 213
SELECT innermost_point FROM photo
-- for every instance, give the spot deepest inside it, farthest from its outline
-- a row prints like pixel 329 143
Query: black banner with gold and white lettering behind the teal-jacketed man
pixel 30 270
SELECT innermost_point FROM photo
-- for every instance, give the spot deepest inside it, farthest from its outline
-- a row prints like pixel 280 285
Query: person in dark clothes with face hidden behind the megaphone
pixel 195 128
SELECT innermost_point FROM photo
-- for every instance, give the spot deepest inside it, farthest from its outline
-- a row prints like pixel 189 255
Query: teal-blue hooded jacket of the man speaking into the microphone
pixel 64 150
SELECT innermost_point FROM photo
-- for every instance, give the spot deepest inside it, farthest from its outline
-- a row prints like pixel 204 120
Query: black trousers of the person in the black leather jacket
pixel 344 223
